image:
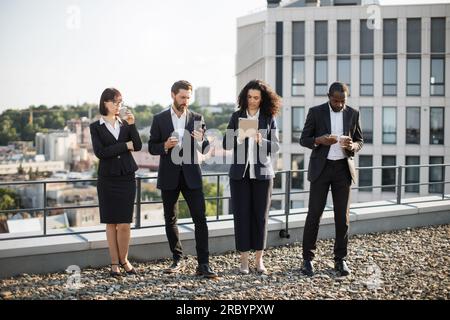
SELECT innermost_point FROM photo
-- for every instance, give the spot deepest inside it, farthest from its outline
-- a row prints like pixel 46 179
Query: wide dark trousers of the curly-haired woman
pixel 250 201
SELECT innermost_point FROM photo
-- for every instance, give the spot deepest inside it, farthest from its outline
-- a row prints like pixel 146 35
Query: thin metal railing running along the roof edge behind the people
pixel 287 192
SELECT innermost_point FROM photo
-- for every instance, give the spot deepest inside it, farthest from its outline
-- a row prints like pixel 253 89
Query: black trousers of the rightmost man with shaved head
pixel 337 175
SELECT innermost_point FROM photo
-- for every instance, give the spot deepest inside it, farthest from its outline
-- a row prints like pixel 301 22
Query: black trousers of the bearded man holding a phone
pixel 196 202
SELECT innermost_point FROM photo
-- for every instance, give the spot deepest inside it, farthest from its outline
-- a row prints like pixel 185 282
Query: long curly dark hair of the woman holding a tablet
pixel 270 100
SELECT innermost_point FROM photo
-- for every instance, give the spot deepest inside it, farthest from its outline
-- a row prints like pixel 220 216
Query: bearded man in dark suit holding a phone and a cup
pixel 176 135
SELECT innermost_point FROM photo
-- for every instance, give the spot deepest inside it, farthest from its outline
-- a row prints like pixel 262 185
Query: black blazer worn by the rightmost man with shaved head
pixel 317 124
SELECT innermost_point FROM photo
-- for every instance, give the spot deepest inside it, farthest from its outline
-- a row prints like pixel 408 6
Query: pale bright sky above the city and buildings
pixel 59 52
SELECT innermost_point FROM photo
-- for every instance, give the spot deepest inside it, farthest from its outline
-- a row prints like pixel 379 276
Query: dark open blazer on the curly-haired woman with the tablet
pixel 267 126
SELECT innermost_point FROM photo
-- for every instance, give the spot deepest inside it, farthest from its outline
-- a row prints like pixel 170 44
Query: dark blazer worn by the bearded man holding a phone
pixel 186 158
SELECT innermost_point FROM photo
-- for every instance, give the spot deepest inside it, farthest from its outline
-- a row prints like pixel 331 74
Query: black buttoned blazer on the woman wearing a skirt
pixel 115 158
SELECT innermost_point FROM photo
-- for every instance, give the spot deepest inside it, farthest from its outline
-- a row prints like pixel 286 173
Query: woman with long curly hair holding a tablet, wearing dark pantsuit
pixel 251 173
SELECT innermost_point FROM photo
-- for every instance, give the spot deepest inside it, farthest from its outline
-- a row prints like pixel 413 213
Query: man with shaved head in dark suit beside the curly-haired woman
pixel 333 132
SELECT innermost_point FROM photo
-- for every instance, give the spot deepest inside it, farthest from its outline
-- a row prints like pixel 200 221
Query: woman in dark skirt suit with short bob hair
pixel 113 139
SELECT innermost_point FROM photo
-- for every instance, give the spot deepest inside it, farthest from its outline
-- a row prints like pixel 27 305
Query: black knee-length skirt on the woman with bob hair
pixel 116 198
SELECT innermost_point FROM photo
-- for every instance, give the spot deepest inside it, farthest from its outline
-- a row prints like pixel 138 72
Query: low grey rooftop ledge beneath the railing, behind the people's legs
pixel 25 255
